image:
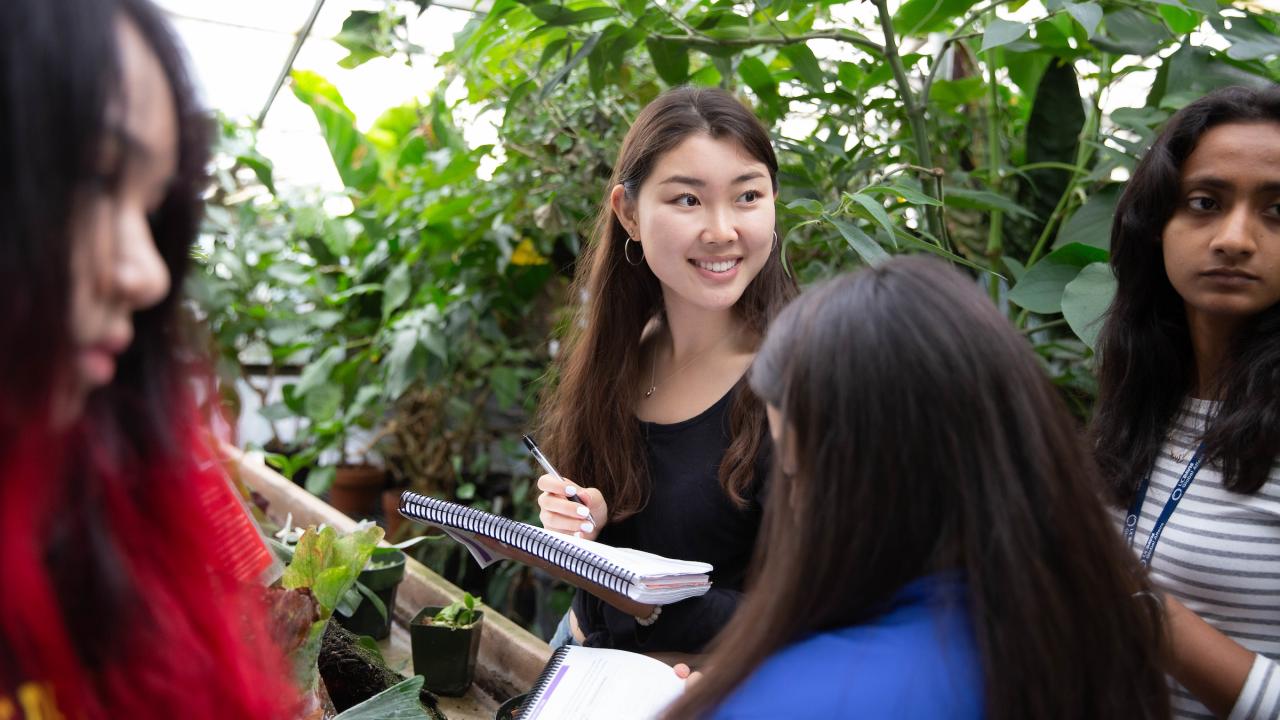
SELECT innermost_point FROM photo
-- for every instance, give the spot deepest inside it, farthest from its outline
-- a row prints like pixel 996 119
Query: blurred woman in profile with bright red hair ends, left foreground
pixel 120 595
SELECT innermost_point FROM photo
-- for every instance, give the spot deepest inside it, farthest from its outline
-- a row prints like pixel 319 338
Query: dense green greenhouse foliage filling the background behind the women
pixel 976 131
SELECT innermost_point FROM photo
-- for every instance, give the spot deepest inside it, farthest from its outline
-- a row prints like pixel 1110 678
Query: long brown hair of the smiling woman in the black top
pixel 588 421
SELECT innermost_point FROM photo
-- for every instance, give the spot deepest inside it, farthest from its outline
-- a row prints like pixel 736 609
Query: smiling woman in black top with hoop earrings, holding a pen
pixel 651 418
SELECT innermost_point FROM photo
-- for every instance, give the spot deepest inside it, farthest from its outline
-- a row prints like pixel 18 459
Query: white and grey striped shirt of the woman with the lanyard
pixel 1220 557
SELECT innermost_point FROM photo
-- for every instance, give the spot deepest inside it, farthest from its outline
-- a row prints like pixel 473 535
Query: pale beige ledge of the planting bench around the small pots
pixel 511 658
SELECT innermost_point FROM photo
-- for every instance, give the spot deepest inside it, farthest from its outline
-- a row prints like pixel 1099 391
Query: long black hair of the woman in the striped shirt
pixel 1146 366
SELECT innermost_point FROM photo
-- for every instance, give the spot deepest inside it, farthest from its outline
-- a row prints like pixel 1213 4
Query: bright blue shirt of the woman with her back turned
pixel 918 660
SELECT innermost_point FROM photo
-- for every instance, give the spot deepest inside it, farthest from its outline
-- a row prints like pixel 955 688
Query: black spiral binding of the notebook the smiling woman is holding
pixel 532 540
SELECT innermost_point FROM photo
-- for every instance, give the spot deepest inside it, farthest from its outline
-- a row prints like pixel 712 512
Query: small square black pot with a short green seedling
pixel 445 642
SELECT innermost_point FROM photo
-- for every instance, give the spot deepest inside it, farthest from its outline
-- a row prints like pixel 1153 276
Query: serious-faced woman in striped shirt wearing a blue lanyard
pixel 1188 421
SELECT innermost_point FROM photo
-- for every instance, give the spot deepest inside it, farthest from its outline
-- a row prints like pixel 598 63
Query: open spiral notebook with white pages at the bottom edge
pixel 584 683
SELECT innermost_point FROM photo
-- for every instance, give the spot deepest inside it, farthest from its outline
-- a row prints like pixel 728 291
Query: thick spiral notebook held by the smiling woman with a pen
pixel 642 577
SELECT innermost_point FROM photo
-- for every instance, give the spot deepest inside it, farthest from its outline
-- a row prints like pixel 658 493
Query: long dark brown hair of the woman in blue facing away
pixel 927 439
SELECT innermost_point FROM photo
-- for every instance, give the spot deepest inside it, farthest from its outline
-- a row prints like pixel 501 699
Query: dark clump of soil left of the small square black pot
pixel 353 675
